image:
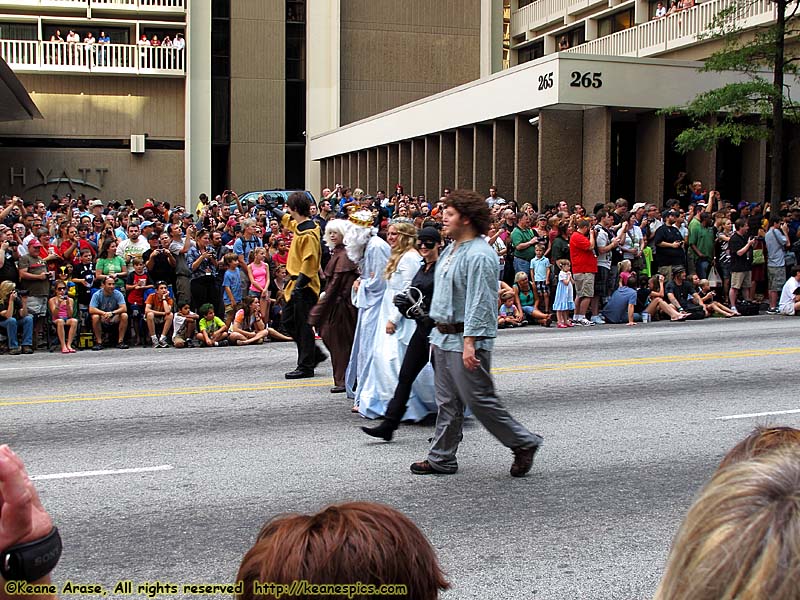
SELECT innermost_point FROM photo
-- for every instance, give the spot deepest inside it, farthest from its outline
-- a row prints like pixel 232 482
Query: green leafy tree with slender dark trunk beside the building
pixel 757 107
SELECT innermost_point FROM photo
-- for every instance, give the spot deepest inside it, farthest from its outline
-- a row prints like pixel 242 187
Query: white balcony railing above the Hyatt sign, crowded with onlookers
pixel 124 59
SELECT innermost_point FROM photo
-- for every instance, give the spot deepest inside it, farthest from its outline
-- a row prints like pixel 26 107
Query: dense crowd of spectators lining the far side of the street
pixel 79 272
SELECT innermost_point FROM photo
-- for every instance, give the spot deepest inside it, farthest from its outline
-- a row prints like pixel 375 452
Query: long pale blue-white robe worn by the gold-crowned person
pixel 368 302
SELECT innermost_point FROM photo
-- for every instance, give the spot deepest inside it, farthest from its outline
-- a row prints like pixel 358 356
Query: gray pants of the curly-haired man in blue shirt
pixel 457 387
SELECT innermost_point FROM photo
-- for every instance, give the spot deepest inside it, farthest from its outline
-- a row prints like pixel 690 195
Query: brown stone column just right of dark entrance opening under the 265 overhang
pixel 650 148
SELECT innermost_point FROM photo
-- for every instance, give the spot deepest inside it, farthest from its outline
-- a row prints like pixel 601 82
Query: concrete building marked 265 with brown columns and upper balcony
pixel 575 118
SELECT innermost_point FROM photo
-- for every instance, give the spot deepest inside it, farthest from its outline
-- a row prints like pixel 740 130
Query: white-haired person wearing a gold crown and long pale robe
pixel 371 254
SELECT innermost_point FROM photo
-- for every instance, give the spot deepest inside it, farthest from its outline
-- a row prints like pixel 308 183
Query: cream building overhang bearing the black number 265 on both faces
pixel 559 81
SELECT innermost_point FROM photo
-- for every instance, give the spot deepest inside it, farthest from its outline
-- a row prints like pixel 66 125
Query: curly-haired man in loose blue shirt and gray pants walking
pixel 464 308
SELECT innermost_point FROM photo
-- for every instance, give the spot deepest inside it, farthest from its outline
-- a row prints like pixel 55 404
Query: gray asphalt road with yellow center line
pixel 631 419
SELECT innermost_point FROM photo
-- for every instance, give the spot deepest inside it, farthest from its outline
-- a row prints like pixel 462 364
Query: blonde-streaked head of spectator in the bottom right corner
pixel 741 538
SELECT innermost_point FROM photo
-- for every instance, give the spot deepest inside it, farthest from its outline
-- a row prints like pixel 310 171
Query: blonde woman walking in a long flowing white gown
pixel 393 335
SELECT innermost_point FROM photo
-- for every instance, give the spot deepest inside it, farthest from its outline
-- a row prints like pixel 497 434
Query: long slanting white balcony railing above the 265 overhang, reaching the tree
pixel 675 31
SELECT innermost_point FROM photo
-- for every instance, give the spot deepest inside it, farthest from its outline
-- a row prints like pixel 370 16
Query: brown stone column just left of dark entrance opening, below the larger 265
pixel 596 156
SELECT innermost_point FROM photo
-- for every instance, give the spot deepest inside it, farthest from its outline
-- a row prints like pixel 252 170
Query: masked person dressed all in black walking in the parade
pixel 413 305
